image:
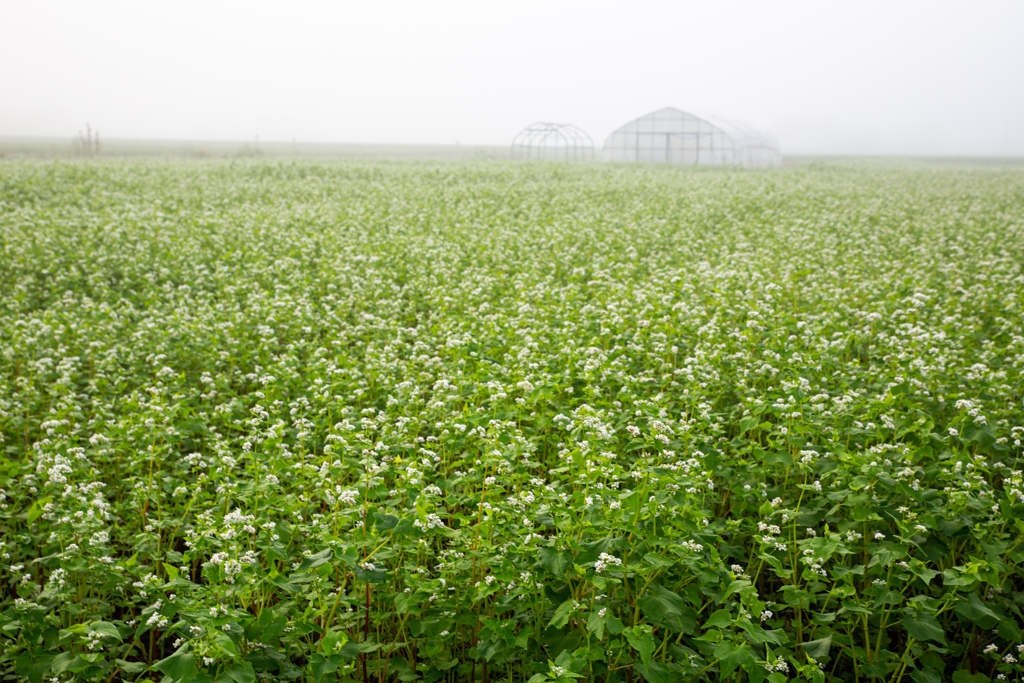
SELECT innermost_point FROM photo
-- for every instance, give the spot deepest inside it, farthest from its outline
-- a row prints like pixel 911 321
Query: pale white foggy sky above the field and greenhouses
pixel 917 77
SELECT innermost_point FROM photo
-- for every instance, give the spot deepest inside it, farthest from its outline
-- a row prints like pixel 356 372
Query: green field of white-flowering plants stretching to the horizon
pixel 494 422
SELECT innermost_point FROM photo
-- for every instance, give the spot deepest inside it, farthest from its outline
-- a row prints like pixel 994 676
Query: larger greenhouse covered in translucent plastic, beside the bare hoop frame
pixel 671 137
